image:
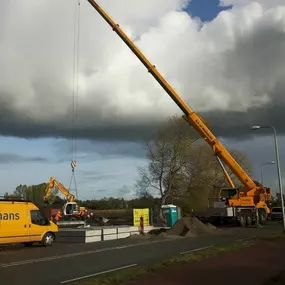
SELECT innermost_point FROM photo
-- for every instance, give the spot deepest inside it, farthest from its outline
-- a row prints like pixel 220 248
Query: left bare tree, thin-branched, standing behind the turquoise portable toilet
pixel 166 156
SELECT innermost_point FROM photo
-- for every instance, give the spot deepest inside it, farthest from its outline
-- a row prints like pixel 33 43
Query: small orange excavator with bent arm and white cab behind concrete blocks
pixel 71 213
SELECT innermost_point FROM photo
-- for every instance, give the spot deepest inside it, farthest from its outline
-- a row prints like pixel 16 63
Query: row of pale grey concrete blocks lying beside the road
pixel 96 234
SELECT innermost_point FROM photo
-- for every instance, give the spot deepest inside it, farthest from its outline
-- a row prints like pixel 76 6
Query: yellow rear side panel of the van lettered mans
pixel 14 222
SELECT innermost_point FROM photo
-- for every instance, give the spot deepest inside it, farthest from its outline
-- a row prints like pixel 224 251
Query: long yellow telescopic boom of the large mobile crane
pixel 191 117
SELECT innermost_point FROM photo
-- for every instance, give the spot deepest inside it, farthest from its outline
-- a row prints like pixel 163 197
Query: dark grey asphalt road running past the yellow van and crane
pixel 64 262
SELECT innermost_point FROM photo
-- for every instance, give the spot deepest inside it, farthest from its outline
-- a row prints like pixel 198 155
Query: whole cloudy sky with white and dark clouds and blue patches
pixel 226 59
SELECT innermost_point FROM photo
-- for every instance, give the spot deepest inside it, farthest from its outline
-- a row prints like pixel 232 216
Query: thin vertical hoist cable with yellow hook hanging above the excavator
pixel 75 91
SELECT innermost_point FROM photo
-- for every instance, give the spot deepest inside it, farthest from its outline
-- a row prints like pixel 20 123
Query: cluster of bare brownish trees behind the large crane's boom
pixel 183 170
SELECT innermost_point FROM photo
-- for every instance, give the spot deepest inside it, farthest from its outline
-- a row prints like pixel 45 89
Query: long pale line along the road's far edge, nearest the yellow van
pixel 68 255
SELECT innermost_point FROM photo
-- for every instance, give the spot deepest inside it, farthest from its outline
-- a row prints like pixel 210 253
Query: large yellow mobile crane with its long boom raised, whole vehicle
pixel 248 204
